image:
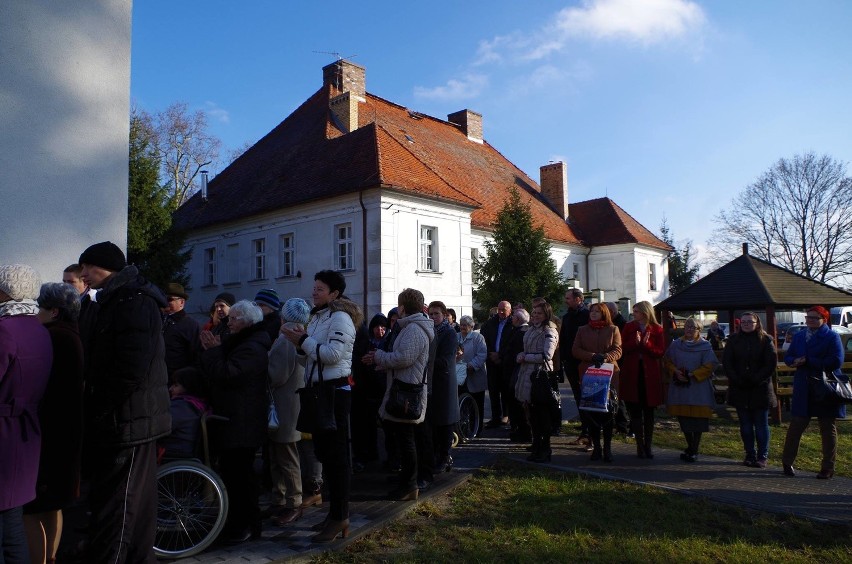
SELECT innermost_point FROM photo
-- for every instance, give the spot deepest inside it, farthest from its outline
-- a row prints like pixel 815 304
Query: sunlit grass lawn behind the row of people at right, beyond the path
pixel 724 440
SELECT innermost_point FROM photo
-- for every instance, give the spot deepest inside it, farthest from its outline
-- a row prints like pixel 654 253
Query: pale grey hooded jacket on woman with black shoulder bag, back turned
pixel 407 360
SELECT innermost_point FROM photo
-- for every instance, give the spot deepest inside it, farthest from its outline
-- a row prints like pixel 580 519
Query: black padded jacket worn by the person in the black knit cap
pixel 126 395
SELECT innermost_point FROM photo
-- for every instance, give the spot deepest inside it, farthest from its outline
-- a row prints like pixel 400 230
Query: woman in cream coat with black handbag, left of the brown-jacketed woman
pixel 540 343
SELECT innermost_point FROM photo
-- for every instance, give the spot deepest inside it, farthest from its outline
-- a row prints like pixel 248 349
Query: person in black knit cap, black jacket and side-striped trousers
pixel 126 407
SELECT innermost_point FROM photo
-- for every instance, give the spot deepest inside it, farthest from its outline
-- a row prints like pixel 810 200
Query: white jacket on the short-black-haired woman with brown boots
pixel 330 340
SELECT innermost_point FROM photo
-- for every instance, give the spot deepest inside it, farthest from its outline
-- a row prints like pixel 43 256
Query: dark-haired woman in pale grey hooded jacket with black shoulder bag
pixel 406 362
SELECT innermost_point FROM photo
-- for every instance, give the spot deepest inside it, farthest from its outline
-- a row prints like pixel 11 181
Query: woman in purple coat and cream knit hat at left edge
pixel 25 359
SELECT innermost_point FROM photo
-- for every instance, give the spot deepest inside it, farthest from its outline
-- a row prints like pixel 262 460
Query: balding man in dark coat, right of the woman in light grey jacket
pixel 496 332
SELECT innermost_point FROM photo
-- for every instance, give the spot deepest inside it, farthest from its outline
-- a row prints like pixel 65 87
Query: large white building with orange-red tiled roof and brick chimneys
pixel 393 199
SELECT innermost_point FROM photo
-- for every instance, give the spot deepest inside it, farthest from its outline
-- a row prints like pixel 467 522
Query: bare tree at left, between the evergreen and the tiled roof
pixel 185 148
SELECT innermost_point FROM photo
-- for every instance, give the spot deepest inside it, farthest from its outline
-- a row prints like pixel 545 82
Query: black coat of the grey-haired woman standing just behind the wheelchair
pixel 236 374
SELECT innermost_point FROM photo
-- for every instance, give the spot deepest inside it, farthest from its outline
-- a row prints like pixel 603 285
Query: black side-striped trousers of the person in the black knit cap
pixel 123 502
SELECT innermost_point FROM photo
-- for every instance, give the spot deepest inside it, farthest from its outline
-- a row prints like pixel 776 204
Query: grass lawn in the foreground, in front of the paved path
pixel 516 513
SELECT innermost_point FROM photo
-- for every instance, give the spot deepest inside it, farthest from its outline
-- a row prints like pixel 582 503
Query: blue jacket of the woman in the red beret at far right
pixel 823 351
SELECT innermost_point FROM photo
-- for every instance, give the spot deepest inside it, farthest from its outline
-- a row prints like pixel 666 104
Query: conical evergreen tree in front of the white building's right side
pixel 517 265
